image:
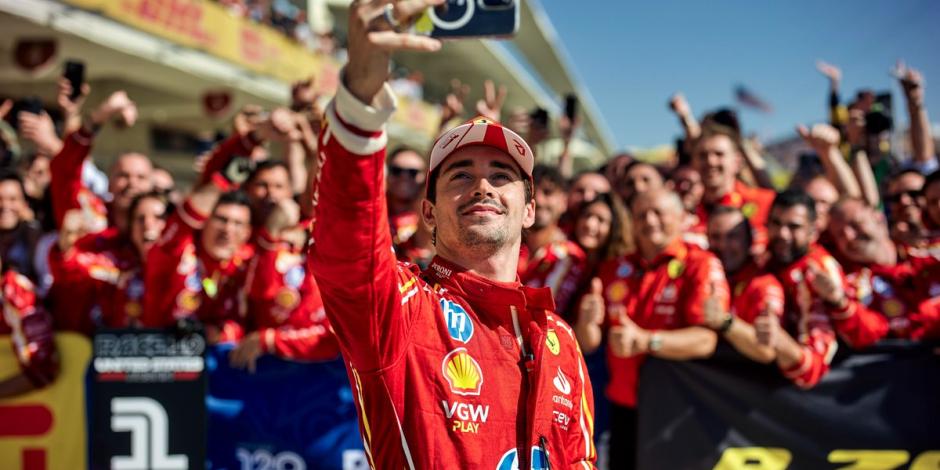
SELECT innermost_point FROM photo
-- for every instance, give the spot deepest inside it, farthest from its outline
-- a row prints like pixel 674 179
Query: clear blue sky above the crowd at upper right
pixel 633 55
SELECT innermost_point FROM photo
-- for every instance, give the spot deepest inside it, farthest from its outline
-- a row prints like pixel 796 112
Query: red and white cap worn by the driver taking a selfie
pixel 483 131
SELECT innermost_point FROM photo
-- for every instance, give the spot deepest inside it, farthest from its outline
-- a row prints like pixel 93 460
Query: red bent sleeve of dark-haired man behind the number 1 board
pixel 162 275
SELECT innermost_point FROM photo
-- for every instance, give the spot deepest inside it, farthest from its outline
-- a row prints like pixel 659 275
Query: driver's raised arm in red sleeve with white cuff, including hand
pixel 352 258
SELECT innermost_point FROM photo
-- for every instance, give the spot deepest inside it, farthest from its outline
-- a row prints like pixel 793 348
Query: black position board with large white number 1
pixel 147 400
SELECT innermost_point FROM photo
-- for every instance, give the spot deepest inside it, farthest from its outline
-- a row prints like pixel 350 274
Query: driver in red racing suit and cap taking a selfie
pixel 460 366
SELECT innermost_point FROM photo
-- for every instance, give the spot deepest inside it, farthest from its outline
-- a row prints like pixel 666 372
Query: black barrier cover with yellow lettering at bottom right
pixel 874 410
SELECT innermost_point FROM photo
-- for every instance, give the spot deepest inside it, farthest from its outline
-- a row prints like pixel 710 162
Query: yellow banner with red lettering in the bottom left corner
pixel 45 429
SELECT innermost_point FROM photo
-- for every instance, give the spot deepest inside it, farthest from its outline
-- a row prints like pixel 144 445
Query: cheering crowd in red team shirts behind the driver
pixel 642 259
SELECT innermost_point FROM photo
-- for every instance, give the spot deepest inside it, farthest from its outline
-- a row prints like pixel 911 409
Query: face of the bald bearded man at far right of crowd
pixel 858 232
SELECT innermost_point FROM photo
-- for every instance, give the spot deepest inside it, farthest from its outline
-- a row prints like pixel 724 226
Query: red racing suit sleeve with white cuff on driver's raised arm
pixel 352 257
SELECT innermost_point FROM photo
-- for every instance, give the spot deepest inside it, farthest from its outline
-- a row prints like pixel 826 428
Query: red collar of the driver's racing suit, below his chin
pixel 479 290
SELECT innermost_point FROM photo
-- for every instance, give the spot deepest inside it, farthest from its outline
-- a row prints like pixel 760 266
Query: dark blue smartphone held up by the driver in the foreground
pixel 457 19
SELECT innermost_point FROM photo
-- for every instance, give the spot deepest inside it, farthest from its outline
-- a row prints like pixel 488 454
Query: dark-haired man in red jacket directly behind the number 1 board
pixel 198 266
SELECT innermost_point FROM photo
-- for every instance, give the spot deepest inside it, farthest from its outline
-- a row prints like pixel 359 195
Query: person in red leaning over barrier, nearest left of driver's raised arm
pixel 285 311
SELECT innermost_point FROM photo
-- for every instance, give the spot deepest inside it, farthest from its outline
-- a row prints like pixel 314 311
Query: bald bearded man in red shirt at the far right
pixel 888 296
